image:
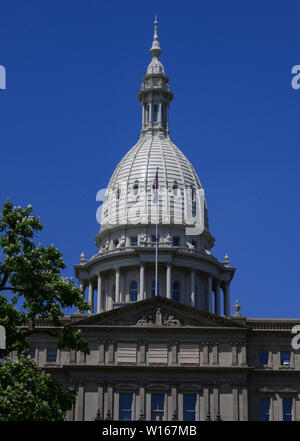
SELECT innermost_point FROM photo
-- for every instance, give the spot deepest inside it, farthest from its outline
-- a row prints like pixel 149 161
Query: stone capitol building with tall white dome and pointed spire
pixel 166 342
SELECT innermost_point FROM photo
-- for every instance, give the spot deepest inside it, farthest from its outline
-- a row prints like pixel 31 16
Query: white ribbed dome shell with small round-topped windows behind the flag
pixel 129 195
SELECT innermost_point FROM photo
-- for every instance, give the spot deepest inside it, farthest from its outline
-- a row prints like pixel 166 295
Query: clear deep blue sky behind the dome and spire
pixel 70 113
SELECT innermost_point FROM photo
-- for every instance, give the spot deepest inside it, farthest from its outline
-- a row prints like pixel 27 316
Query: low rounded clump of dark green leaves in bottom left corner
pixel 29 394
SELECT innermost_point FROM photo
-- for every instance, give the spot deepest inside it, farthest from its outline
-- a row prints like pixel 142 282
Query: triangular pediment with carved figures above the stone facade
pixel 157 312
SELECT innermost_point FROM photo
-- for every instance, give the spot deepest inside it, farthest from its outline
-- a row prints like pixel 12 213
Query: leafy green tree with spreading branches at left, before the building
pixel 31 273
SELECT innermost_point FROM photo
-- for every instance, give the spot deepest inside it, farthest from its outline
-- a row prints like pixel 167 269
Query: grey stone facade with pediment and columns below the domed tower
pixel 161 347
